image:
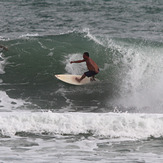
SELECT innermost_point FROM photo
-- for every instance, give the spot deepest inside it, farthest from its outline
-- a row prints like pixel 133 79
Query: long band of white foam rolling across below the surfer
pixel 108 125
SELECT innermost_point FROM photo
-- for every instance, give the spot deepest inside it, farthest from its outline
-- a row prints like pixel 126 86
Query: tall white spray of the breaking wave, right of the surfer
pixel 142 77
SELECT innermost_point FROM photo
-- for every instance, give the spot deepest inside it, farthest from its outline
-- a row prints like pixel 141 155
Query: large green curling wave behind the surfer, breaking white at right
pixel 131 72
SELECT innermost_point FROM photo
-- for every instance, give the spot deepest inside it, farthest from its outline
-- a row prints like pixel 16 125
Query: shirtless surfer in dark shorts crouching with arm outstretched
pixel 91 65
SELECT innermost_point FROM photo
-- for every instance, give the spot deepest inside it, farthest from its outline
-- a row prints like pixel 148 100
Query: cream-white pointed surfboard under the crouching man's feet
pixel 71 79
